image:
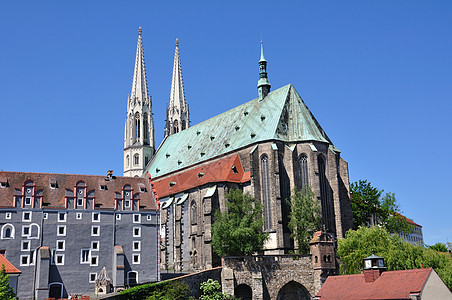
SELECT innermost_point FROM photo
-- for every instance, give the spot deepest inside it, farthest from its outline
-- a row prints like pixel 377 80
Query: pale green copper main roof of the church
pixel 281 115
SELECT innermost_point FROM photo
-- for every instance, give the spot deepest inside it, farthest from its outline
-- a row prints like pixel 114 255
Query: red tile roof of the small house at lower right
pixel 390 285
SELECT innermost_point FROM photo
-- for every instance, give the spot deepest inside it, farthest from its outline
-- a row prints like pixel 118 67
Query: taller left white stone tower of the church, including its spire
pixel 139 143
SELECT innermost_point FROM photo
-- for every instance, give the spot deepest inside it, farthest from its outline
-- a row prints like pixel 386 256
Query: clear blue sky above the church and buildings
pixel 376 74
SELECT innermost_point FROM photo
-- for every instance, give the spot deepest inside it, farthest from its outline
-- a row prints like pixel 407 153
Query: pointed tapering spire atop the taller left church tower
pixel 139 84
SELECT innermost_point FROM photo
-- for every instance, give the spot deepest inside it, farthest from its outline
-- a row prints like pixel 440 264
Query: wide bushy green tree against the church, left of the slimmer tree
pixel 239 230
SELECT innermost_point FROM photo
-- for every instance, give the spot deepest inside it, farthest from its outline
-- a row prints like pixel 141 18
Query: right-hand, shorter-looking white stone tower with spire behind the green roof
pixel 177 114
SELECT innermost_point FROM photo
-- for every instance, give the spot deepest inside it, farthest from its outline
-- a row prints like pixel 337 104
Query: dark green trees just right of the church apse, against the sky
pixel 371 208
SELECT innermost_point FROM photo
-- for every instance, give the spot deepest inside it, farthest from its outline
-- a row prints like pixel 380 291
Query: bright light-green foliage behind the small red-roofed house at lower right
pixel 398 254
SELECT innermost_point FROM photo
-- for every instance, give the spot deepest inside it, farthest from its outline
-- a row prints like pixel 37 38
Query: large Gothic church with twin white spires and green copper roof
pixel 266 147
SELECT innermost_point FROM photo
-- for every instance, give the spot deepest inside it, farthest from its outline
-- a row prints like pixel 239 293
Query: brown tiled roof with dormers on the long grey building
pixel 104 197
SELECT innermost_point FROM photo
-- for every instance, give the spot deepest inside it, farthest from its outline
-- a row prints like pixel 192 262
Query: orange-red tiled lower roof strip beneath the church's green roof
pixel 228 169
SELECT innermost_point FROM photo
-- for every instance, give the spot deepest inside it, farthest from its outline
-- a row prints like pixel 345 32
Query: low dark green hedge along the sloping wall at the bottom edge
pixel 165 290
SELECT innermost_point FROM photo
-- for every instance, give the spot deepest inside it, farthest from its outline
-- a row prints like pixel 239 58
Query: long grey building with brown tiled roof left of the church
pixel 63 229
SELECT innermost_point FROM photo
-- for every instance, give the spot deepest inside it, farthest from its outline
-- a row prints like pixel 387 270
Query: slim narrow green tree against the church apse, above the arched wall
pixel 304 218
